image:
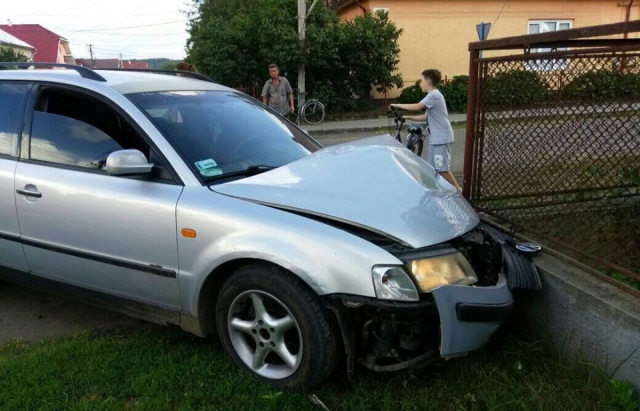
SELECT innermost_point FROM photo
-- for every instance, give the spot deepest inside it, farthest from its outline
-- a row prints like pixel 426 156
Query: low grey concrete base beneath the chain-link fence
pixel 577 311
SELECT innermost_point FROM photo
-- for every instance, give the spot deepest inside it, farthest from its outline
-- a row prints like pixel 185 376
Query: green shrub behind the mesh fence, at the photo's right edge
pixel 603 85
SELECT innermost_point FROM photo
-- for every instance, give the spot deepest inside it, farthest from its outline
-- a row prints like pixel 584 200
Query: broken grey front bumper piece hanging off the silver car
pixel 469 315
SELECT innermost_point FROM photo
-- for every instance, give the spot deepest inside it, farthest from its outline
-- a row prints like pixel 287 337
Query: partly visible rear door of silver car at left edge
pixel 13 97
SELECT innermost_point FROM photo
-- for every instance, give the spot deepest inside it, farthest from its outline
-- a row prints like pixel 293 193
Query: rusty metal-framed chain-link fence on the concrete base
pixel 553 141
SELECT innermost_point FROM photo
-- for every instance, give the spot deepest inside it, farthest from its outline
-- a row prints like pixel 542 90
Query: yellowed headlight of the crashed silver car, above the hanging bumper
pixel 433 272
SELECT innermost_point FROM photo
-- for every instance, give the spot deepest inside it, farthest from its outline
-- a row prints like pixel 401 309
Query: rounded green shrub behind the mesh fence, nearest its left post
pixel 514 89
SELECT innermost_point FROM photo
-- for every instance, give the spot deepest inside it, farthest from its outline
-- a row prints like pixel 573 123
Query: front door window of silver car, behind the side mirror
pixel 78 130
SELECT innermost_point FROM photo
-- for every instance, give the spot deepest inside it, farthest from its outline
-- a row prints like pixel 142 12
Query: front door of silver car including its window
pixel 80 226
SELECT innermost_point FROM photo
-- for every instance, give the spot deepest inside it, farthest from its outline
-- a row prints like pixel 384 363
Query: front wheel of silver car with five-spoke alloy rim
pixel 275 327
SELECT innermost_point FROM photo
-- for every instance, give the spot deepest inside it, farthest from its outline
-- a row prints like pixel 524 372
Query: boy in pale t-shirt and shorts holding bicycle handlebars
pixel 438 124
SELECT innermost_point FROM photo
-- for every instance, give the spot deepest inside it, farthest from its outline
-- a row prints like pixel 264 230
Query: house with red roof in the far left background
pixel 49 46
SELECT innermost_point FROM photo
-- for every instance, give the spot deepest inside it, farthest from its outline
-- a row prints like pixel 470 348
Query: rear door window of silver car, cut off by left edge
pixel 12 100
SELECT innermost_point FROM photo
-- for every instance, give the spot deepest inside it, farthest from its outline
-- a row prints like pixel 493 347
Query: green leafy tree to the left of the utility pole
pixel 234 41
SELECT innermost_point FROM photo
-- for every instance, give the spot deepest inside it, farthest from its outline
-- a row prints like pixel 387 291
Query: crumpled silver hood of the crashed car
pixel 373 183
